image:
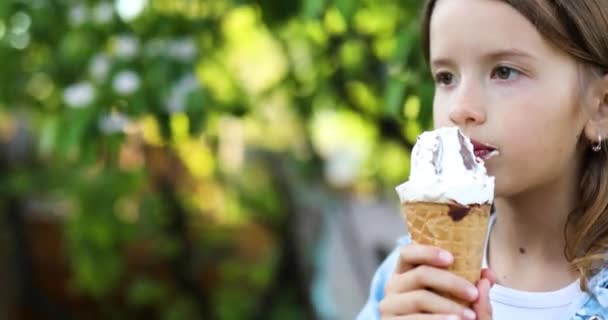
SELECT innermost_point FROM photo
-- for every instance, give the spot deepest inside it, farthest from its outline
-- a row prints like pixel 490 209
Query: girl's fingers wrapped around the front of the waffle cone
pixel 412 291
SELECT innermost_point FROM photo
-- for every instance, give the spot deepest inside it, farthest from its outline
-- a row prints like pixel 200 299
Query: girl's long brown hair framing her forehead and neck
pixel 578 28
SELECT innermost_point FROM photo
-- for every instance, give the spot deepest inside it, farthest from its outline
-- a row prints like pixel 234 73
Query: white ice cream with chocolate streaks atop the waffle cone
pixel 444 169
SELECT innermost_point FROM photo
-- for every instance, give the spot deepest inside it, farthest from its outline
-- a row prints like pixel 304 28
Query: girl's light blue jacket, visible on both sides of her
pixel 593 306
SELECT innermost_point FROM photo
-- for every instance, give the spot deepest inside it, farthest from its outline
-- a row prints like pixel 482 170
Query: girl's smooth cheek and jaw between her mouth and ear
pixel 539 144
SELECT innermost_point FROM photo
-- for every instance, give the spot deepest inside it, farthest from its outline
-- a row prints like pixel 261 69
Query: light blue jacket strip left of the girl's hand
pixel 381 276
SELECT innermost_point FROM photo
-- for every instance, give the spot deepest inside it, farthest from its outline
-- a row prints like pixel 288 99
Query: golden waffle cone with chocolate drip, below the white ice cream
pixel 430 224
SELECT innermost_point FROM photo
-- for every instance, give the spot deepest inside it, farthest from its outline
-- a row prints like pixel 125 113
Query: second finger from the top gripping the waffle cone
pixel 438 280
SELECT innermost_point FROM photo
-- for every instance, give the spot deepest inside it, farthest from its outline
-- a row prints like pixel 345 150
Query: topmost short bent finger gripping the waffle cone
pixel 413 255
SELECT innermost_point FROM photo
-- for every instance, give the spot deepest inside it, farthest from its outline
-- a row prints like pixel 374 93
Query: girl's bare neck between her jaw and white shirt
pixel 529 231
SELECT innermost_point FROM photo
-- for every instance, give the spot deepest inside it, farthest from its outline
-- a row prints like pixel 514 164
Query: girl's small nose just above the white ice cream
pixel 467 108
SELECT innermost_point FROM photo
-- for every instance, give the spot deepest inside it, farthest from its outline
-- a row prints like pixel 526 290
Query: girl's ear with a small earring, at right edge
pixel 597 126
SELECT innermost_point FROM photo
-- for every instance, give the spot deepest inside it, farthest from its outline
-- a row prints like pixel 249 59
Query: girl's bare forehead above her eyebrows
pixel 470 26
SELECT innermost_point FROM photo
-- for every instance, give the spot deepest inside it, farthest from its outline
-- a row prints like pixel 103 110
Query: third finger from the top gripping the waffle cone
pixel 423 301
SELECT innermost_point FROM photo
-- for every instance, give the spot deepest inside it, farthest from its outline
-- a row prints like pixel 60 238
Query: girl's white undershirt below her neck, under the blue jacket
pixel 510 304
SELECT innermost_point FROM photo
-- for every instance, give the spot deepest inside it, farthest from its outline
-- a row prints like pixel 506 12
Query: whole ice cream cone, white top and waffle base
pixel 447 198
